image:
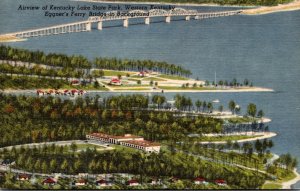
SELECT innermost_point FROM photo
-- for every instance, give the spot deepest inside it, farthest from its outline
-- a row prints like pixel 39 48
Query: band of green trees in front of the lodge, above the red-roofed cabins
pixel 64 159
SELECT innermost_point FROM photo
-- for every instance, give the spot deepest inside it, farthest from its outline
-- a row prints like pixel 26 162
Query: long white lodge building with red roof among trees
pixel 127 140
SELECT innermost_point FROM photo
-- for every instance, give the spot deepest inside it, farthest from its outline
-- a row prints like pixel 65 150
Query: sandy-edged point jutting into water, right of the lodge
pixel 264 135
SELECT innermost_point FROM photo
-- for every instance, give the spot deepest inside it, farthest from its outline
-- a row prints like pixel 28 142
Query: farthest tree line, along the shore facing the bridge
pixel 80 62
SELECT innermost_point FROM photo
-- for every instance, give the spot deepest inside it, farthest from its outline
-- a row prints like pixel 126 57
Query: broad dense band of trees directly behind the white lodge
pixel 26 119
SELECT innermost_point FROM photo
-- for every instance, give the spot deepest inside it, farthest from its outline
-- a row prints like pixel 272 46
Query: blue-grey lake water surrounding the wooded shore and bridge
pixel 264 49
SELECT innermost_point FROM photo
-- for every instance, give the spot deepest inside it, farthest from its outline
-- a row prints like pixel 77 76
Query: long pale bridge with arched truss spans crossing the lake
pixel 86 25
